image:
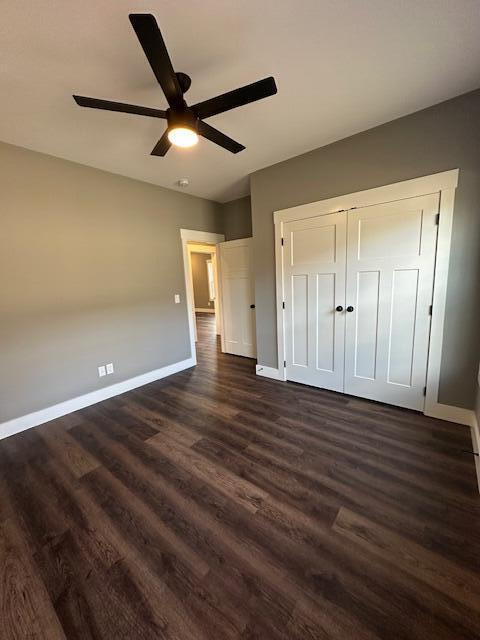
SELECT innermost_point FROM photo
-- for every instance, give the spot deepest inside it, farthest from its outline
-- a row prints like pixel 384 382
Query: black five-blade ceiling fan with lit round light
pixel 185 123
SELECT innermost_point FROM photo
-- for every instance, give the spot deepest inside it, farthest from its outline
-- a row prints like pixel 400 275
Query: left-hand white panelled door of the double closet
pixel 314 286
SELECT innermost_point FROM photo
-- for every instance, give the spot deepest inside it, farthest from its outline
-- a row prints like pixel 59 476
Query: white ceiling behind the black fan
pixel 341 66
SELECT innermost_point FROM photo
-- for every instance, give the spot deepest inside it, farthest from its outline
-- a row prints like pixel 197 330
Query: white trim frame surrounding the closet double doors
pixel 443 183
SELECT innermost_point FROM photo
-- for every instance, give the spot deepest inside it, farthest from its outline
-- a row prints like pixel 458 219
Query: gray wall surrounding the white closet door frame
pixel 443 137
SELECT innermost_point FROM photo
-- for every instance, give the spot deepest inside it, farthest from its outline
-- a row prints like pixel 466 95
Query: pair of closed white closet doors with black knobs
pixel 358 287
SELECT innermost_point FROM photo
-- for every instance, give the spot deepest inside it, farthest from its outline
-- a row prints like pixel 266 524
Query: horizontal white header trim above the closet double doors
pixel 379 195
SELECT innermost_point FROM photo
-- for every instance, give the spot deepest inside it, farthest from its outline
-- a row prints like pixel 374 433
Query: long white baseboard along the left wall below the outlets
pixel 37 418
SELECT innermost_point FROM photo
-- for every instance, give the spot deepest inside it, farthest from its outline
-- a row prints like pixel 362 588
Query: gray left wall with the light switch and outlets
pixel 89 265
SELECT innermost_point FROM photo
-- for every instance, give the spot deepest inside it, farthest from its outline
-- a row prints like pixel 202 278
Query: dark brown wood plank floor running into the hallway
pixel 218 505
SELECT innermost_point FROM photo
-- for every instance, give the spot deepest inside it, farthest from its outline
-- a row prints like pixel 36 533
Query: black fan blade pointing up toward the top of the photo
pixel 153 45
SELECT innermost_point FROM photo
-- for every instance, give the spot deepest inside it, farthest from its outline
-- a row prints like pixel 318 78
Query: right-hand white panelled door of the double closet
pixel 390 269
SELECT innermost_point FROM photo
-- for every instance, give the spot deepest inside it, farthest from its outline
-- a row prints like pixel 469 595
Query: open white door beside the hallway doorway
pixel 238 297
